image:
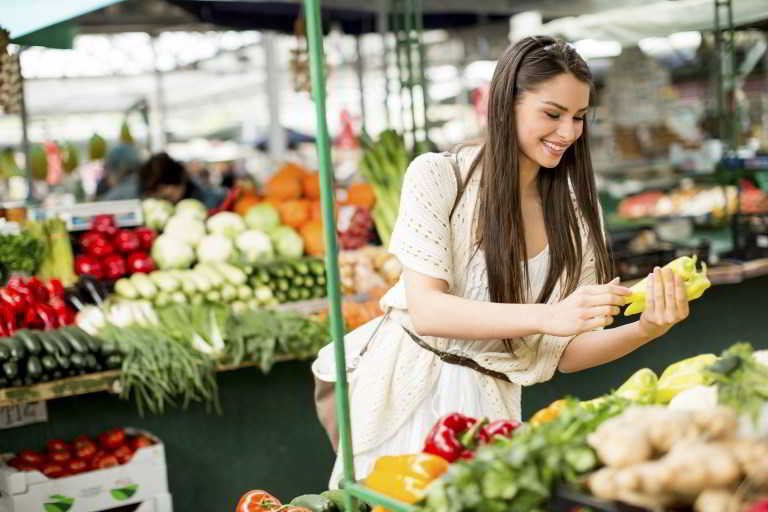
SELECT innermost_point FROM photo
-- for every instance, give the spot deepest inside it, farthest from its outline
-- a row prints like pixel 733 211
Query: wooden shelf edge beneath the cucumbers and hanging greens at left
pixel 95 383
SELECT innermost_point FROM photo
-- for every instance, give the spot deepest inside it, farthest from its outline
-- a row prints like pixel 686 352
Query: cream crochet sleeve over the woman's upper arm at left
pixel 421 238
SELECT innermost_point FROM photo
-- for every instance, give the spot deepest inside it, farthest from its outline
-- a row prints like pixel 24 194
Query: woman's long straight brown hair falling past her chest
pixel 522 67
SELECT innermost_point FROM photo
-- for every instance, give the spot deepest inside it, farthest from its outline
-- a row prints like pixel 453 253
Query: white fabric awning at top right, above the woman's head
pixel 631 24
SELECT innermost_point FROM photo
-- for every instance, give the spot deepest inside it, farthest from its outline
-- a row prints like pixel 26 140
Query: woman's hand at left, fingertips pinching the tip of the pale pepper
pixel 586 309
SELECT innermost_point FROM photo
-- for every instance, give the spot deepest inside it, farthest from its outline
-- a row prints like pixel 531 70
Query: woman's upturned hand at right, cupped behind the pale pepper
pixel 666 304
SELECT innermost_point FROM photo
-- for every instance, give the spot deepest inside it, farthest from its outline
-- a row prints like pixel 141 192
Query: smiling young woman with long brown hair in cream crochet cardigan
pixel 506 268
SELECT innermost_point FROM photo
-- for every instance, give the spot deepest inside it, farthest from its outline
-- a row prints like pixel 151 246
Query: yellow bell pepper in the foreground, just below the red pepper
pixel 405 477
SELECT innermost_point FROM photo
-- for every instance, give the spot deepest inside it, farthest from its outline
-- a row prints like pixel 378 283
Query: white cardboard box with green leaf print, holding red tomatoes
pixel 142 480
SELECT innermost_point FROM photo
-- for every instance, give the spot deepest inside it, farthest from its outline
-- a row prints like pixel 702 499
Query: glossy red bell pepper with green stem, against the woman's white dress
pixel 454 437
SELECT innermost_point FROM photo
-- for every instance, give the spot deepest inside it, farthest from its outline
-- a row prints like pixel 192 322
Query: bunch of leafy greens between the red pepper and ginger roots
pixel 519 474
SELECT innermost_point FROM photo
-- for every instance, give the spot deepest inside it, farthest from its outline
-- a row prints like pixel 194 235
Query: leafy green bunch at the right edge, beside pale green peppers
pixel 742 382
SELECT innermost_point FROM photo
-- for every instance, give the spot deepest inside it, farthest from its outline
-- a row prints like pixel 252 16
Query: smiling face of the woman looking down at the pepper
pixel 550 118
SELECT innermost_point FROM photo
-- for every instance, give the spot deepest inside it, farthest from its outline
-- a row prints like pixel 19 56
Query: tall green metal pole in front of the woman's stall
pixel 317 70
